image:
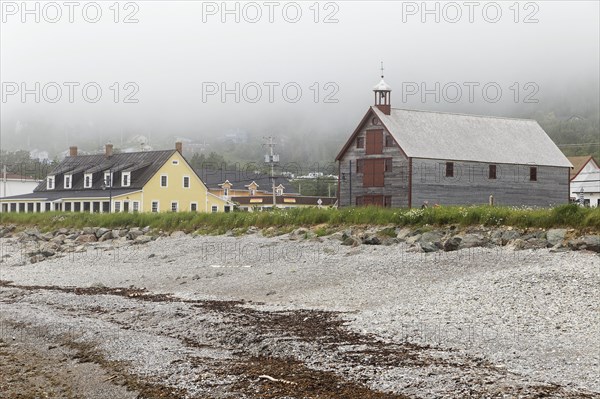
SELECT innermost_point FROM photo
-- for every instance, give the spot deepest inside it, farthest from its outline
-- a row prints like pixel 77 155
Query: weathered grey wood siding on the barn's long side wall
pixel 471 185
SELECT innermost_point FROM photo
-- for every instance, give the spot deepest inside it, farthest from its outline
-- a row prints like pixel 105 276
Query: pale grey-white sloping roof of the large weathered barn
pixel 437 135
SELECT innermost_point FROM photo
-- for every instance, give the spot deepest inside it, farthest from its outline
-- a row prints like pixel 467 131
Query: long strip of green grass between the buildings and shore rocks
pixel 563 216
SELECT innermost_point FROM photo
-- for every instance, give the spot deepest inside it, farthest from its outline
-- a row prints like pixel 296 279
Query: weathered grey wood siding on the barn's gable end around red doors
pixel 395 183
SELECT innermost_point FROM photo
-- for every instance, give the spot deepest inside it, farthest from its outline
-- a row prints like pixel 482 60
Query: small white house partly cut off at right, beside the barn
pixel 585 175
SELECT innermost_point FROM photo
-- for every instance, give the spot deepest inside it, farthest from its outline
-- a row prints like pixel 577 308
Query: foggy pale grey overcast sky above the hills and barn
pixel 179 55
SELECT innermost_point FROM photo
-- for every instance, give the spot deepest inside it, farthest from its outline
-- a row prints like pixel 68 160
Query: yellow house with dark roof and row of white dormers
pixel 150 181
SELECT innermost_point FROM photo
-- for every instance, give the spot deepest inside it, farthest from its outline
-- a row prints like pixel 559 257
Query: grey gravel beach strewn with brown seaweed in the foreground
pixel 251 316
